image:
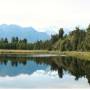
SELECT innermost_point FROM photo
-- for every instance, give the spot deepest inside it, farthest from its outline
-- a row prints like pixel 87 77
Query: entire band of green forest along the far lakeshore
pixel 76 40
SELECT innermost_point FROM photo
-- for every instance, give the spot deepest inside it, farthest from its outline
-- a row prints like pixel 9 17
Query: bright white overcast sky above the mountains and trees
pixel 45 14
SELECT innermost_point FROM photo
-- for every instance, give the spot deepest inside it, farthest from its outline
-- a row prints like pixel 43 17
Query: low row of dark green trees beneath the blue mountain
pixel 22 44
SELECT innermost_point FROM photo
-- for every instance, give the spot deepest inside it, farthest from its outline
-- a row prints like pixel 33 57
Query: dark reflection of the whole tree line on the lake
pixel 76 67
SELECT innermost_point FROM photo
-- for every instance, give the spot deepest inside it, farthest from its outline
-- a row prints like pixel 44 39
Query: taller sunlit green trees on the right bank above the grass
pixel 76 40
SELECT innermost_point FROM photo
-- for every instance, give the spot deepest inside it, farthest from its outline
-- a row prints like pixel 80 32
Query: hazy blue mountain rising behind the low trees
pixel 29 33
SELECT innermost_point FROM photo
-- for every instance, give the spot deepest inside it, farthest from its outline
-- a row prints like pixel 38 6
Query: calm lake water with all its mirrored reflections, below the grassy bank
pixel 44 72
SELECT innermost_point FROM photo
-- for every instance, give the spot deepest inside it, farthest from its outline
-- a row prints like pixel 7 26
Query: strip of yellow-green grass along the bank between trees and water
pixel 81 55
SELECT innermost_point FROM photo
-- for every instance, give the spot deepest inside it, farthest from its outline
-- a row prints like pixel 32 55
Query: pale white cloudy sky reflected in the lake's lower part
pixel 42 79
